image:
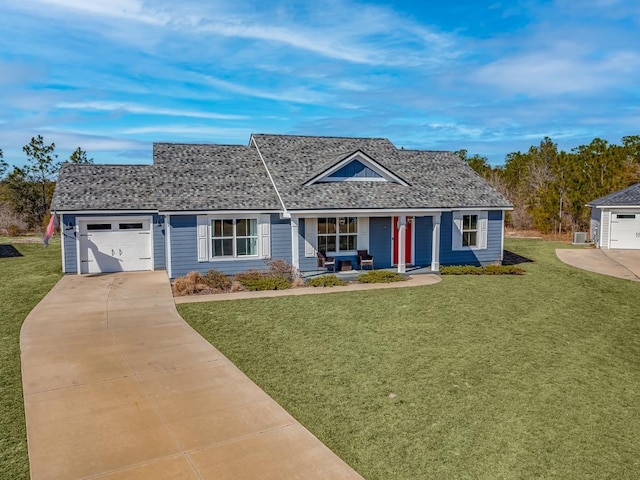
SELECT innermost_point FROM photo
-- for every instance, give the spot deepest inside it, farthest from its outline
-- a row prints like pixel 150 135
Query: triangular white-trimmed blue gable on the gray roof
pixel 355 167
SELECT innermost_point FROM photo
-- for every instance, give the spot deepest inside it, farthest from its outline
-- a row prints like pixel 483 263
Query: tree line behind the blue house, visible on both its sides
pixel 549 188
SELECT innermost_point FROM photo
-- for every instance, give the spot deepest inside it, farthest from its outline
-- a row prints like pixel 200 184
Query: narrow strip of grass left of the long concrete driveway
pixel 23 282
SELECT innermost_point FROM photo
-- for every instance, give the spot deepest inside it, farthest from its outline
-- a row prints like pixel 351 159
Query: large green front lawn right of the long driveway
pixel 478 377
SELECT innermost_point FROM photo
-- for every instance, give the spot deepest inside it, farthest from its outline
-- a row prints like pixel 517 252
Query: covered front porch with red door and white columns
pixel 398 241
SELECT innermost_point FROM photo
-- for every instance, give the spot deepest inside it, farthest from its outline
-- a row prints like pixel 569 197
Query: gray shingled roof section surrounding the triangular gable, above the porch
pixel 437 179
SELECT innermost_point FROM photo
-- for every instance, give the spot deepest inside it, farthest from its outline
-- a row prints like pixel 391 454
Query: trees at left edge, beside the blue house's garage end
pixel 26 192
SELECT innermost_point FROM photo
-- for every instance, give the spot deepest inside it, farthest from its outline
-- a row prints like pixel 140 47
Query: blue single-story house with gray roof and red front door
pixel 234 208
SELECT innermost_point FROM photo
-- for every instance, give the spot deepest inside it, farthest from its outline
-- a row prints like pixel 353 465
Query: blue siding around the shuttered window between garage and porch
pixel 184 248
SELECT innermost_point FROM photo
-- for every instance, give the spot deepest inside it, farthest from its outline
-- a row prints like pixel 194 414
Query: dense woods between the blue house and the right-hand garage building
pixel 550 188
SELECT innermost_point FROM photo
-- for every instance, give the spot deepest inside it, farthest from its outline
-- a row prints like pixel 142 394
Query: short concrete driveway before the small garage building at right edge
pixel 616 263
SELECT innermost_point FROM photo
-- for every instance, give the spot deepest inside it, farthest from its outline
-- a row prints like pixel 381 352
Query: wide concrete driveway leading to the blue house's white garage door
pixel 118 386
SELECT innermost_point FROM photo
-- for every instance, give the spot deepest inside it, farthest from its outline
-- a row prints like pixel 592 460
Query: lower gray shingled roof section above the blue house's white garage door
pixel 105 187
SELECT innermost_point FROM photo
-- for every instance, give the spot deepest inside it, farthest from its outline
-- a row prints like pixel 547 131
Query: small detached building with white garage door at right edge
pixel 615 219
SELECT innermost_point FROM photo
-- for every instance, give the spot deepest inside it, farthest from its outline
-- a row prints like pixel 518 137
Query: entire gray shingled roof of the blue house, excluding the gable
pixel 187 177
